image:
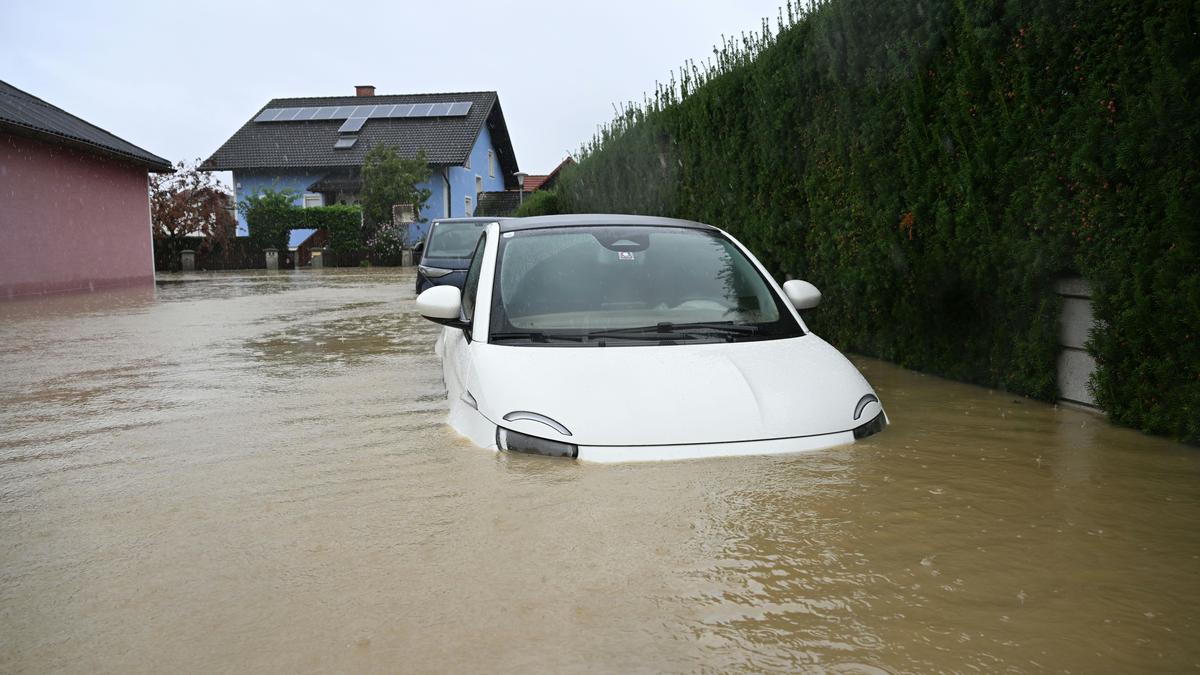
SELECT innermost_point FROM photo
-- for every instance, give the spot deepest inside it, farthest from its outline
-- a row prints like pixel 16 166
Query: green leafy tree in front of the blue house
pixel 388 181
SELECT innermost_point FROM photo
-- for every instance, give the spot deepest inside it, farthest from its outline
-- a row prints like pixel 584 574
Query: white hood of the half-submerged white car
pixel 650 396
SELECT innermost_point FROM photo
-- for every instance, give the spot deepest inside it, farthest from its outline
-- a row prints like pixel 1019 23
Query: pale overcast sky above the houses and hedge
pixel 179 79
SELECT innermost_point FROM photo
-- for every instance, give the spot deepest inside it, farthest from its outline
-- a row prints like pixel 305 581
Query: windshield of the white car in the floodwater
pixel 631 284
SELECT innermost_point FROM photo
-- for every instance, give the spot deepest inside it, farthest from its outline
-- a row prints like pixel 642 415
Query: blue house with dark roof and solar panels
pixel 315 147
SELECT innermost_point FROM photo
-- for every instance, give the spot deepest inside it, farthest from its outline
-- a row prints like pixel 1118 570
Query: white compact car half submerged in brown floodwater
pixel 614 338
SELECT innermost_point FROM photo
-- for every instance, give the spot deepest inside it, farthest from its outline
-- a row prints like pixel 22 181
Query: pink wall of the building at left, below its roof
pixel 70 220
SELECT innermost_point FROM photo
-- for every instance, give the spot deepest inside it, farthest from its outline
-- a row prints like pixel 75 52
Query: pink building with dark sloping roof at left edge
pixel 75 202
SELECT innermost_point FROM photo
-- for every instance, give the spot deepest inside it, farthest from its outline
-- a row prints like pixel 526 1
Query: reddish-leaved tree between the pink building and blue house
pixel 189 204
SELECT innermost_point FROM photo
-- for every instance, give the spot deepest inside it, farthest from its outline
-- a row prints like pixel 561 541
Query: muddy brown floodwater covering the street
pixel 251 474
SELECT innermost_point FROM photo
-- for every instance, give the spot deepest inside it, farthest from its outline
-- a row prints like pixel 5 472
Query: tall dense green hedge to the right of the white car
pixel 934 166
